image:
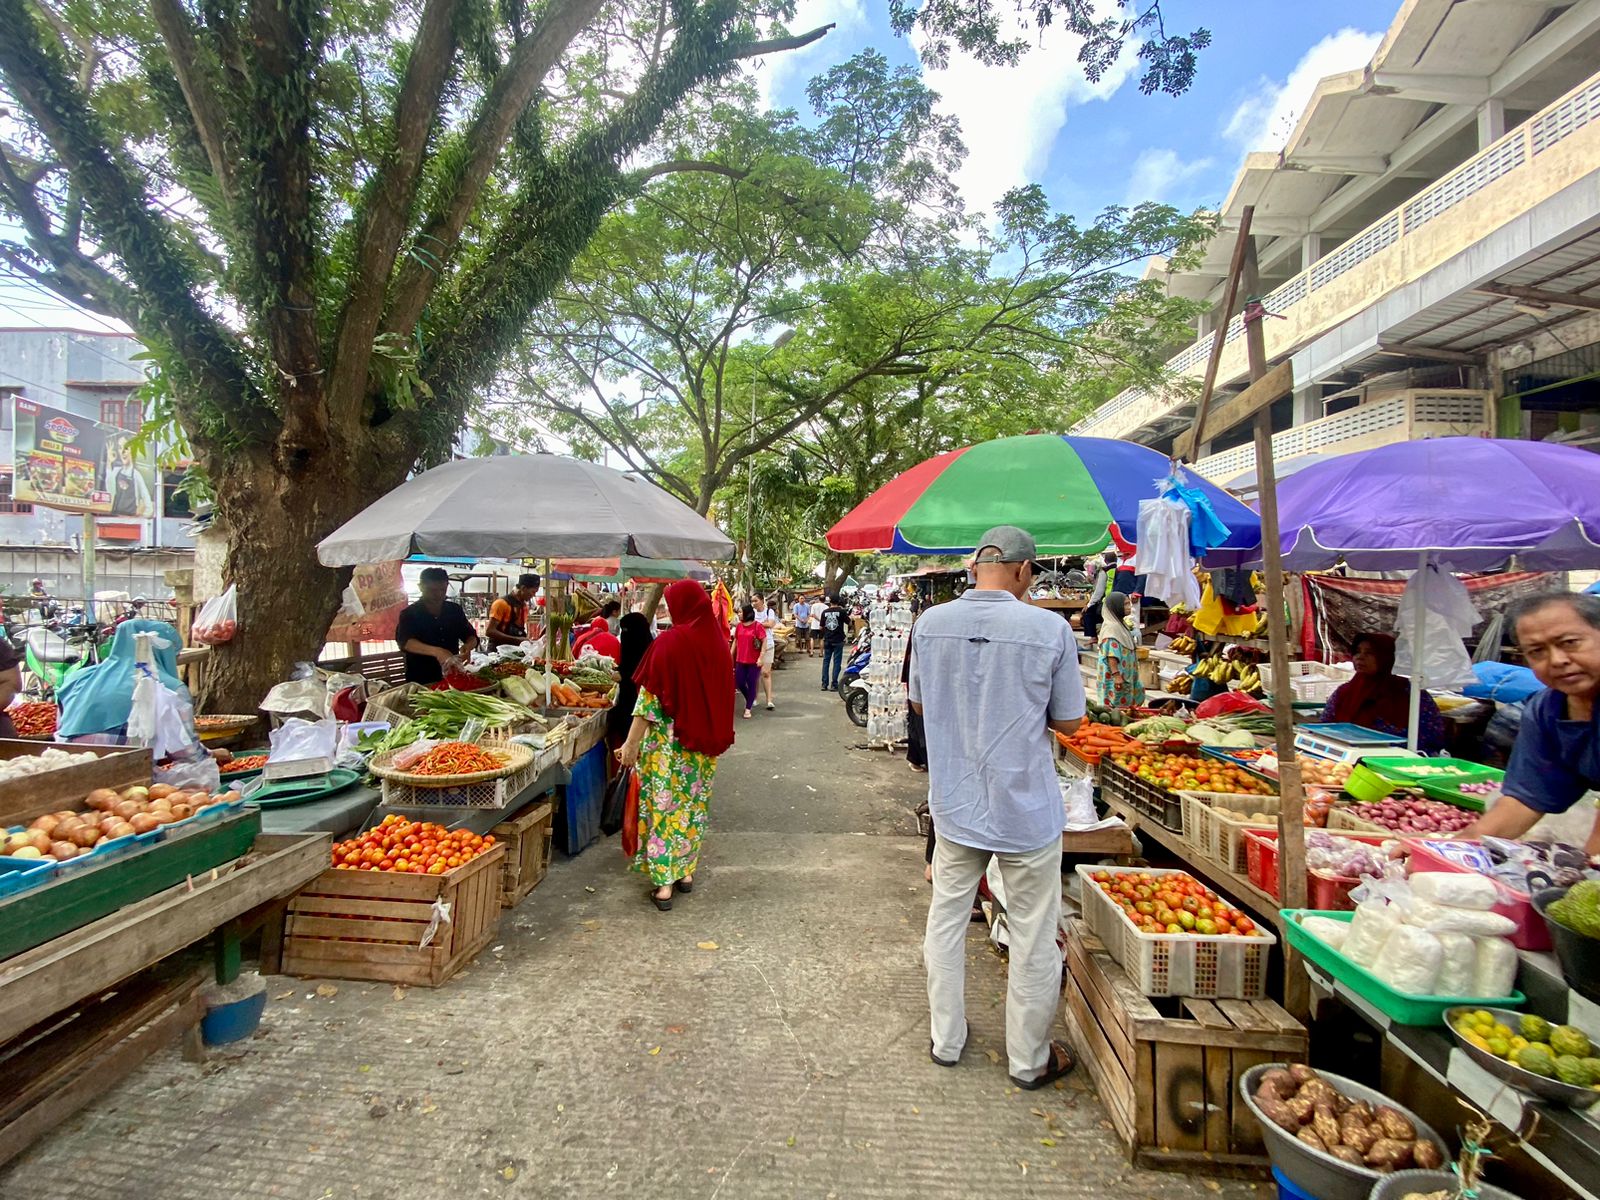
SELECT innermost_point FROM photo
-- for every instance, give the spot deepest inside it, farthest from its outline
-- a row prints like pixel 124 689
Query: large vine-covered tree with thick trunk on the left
pixel 327 222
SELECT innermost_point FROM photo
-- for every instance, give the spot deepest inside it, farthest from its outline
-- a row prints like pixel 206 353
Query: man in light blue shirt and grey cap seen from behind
pixel 993 676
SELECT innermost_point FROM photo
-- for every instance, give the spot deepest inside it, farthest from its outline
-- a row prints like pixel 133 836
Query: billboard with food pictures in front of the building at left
pixel 78 465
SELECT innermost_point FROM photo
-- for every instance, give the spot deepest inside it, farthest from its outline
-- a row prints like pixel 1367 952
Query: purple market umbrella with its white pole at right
pixel 1458 503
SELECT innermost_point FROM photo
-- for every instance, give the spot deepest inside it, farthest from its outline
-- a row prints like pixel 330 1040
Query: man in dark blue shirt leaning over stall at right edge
pixel 1556 761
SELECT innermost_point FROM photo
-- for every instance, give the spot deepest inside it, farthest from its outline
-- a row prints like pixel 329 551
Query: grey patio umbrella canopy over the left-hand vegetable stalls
pixel 524 506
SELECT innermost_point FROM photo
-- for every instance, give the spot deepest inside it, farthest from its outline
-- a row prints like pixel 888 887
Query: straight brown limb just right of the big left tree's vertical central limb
pixel 383 220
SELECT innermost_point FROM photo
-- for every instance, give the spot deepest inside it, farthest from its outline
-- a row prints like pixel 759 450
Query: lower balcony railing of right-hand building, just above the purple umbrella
pixel 1407 417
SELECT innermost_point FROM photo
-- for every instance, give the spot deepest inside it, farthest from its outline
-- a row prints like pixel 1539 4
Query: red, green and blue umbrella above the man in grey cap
pixel 1068 492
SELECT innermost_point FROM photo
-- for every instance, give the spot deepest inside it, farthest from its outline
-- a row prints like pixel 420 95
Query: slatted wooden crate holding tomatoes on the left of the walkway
pixel 370 924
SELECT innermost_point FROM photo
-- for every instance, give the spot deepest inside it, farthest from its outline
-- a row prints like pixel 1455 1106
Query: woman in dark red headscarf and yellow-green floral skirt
pixel 682 724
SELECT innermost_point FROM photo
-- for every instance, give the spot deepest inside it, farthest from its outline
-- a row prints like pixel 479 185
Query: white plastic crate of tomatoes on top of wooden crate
pixel 1177 964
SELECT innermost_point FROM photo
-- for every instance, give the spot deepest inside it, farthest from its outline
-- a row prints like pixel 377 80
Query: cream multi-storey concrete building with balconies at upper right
pixel 1430 247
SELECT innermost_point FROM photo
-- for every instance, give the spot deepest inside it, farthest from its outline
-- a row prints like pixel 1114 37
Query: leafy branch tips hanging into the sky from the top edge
pixel 978 28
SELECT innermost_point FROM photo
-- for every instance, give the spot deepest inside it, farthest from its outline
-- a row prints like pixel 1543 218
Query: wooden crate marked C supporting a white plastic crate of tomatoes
pixel 1169 1070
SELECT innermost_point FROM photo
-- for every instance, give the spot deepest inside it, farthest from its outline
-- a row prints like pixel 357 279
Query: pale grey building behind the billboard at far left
pixel 95 377
